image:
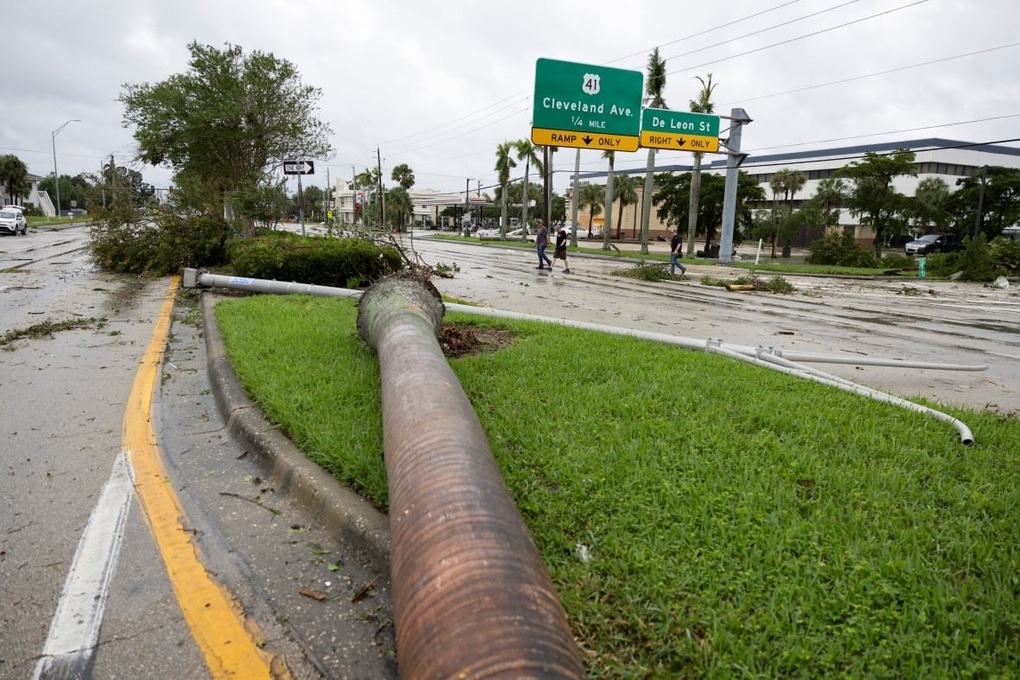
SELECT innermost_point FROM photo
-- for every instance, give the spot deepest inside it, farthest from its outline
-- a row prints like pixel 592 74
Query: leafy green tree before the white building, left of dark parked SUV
pixel 874 197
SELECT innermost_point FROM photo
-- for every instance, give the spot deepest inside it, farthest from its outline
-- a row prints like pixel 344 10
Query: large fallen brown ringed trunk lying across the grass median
pixel 472 597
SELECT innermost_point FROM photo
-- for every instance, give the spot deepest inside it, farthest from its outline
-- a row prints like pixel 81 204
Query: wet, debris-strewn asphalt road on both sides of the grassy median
pixel 67 402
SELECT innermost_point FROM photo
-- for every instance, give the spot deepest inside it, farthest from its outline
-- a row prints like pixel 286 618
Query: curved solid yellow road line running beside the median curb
pixel 216 622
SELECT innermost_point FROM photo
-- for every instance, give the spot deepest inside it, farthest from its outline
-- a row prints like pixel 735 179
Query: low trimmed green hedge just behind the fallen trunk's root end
pixel 322 261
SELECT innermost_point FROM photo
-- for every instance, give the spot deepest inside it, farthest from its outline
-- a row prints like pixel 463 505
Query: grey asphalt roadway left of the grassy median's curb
pixel 314 604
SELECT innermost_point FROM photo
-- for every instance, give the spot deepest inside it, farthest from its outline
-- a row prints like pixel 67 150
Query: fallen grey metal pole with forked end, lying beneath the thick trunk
pixel 757 356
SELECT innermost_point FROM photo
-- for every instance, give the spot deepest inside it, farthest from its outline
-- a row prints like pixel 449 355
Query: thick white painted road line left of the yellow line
pixel 75 631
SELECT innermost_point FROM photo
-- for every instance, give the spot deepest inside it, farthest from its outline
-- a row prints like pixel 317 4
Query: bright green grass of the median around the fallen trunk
pixel 740 522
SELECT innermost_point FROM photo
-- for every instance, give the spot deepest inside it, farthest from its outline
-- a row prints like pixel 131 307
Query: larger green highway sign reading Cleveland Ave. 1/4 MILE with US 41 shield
pixel 587 107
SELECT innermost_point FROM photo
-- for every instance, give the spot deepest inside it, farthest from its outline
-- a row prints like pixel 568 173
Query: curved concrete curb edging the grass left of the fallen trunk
pixel 325 500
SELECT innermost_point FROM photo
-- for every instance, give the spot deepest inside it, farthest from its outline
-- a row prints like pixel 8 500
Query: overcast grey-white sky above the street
pixel 440 84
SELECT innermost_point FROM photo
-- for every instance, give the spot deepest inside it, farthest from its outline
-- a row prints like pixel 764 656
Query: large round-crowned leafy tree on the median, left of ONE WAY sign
pixel 229 122
